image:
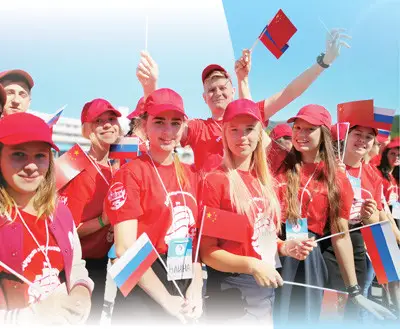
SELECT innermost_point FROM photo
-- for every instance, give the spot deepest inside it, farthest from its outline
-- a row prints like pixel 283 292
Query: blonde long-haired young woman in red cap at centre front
pixel 242 275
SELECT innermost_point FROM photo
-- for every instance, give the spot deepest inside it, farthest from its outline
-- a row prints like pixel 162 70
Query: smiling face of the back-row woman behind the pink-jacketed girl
pixel 106 128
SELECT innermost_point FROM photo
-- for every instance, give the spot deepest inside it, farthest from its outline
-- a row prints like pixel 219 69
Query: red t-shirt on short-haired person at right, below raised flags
pixel 371 188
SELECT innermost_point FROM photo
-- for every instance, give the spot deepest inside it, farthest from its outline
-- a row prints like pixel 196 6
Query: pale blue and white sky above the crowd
pixel 80 50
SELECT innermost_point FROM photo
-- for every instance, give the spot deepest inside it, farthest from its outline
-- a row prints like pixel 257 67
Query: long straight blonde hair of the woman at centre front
pixel 239 193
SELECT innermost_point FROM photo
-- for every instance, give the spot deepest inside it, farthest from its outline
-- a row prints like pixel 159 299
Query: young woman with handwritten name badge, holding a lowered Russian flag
pixel 157 195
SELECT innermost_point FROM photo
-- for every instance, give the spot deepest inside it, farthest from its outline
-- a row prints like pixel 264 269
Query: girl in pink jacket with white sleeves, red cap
pixel 37 236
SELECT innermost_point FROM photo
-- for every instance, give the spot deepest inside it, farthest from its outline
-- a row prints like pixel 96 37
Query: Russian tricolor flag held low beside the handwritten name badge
pixel 128 269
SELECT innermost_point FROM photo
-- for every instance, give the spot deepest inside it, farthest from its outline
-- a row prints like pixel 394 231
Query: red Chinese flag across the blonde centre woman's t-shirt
pixel 224 225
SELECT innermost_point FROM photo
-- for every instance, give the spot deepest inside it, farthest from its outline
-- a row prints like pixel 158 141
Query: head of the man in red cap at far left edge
pixel 17 85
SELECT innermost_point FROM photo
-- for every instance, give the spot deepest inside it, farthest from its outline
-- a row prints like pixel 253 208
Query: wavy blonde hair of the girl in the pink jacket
pixel 44 200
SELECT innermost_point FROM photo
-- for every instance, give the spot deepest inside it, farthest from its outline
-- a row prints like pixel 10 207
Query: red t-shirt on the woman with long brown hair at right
pixel 315 203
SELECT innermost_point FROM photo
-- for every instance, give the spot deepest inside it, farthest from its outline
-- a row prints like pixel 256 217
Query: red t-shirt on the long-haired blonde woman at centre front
pixel 216 195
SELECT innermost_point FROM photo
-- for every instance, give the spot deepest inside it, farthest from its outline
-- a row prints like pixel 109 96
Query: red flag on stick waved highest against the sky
pixel 277 34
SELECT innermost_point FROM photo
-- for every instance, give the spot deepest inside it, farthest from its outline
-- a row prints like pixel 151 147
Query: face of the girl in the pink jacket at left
pixel 24 166
